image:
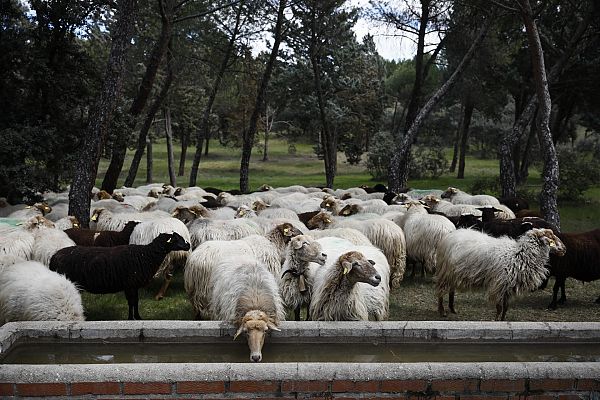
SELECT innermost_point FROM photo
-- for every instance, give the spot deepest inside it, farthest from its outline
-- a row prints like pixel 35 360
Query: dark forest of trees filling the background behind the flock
pixel 516 80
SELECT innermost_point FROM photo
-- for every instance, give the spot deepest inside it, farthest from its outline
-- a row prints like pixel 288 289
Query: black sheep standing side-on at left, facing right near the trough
pixel 113 269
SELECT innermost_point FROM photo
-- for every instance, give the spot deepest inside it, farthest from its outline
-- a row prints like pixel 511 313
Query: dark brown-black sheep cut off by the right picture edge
pixel 581 262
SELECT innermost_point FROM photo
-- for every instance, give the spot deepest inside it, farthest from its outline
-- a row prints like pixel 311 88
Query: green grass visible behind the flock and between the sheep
pixel 414 299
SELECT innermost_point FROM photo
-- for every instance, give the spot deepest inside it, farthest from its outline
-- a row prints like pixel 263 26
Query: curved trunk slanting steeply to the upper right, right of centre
pixel 398 169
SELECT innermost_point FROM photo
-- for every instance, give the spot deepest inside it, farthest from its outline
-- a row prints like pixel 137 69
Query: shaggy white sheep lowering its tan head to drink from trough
pixel 247 295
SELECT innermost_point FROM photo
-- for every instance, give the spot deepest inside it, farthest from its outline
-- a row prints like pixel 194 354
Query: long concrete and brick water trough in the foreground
pixel 550 360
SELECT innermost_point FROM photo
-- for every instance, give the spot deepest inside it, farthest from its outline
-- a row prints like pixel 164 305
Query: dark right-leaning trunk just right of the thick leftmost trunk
pixel 160 48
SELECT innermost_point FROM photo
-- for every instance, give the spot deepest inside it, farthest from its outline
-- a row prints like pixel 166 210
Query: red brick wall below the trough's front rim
pixel 489 389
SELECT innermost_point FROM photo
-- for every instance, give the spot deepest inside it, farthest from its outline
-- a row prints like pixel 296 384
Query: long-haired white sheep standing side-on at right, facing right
pixel 468 259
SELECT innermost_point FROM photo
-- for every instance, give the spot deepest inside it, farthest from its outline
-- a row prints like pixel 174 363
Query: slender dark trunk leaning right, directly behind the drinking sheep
pixel 250 132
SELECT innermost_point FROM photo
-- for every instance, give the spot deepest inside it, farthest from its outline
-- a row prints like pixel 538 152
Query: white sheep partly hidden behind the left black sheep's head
pixel 145 232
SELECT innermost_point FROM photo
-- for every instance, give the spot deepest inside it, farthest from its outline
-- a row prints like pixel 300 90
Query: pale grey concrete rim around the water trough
pixel 174 372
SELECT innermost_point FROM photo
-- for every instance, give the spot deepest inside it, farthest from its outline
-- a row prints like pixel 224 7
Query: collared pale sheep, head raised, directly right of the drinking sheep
pixel 296 285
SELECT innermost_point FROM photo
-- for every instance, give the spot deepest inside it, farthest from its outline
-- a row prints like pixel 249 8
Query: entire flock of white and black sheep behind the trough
pixel 252 259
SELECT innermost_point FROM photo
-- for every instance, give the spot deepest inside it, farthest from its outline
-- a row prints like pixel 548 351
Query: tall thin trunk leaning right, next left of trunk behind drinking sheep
pixel 203 130
